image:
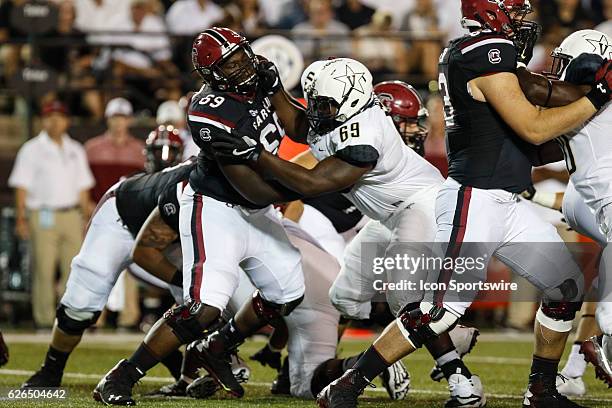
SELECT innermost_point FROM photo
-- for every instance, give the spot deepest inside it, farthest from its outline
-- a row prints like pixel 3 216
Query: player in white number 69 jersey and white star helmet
pixel 361 154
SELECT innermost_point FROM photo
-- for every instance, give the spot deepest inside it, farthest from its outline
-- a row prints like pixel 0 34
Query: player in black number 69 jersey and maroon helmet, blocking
pixel 220 228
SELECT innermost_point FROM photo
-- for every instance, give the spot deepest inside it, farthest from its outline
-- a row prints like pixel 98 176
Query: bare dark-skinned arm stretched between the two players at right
pixel 541 91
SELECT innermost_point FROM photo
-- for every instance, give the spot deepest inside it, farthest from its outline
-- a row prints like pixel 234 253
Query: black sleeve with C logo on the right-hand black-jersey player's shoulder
pixel 490 55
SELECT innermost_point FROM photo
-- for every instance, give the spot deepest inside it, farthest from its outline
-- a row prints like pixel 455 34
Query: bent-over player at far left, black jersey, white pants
pixel 106 250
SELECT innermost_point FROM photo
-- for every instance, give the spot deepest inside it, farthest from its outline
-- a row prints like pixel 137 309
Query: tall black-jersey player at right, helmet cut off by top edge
pixel 489 124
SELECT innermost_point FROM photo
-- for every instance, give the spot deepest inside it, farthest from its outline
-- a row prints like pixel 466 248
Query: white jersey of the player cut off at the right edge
pixel 588 155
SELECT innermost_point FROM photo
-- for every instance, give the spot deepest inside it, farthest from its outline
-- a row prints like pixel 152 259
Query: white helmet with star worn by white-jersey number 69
pixel 339 89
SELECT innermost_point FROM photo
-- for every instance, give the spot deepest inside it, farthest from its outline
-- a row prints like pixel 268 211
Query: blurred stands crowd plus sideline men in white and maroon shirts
pixel 115 59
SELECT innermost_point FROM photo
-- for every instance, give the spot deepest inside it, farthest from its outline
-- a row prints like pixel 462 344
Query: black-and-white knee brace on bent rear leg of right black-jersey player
pixel 422 322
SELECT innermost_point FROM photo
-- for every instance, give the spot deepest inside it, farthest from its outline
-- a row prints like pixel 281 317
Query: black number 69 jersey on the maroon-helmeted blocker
pixel 212 112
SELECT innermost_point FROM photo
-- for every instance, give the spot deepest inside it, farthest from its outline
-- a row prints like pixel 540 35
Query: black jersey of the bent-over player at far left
pixel 140 194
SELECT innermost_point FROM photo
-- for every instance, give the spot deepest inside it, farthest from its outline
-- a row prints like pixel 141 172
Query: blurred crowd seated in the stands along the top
pixel 101 47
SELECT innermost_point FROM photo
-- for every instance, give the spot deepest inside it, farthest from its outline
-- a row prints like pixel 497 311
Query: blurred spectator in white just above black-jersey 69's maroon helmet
pixel 189 17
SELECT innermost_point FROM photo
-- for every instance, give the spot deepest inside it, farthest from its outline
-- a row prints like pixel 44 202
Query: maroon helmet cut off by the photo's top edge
pixel 500 16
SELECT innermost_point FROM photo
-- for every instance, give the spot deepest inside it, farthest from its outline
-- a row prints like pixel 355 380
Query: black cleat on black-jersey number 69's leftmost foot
pixel 116 386
